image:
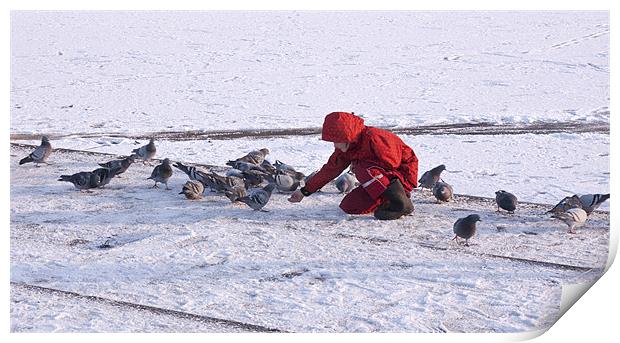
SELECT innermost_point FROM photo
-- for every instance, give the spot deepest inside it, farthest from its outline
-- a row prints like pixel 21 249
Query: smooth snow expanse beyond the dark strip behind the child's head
pixel 152 71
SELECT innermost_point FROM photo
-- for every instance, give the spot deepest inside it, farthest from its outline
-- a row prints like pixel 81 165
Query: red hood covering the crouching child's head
pixel 342 127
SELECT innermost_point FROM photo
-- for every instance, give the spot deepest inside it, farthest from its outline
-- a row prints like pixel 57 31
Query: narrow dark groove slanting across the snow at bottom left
pixel 157 310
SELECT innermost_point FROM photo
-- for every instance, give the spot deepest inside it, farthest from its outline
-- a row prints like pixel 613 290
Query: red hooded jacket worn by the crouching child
pixel 370 144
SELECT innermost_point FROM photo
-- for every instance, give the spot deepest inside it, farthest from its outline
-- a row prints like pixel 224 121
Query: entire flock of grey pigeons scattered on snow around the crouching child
pixel 242 183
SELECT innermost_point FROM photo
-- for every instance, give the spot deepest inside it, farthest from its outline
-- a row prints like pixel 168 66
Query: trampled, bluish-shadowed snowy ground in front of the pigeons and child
pixel 299 267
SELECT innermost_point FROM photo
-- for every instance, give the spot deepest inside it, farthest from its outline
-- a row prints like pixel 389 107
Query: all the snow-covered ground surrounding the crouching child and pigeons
pixel 93 77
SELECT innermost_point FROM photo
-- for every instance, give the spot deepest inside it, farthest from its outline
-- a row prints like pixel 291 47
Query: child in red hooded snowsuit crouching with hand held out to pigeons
pixel 385 166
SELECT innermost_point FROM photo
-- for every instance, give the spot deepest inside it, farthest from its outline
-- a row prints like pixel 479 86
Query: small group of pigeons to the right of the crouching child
pixel 573 210
